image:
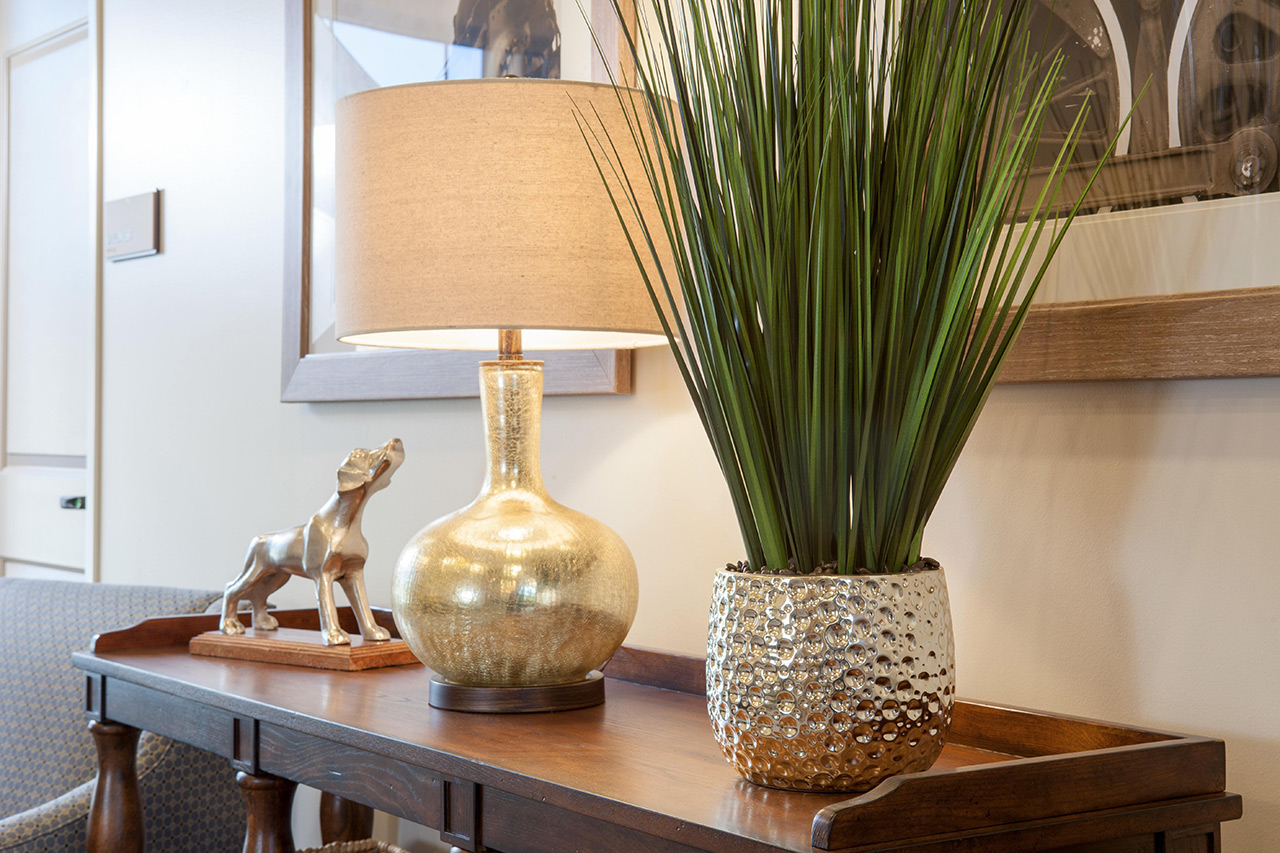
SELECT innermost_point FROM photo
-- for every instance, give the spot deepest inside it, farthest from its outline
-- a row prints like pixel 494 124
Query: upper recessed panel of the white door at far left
pixel 51 267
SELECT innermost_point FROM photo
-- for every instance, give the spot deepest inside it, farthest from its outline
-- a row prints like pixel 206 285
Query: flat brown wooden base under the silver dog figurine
pixel 301 647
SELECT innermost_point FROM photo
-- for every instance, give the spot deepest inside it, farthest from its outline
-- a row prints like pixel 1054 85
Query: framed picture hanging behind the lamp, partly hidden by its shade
pixel 335 48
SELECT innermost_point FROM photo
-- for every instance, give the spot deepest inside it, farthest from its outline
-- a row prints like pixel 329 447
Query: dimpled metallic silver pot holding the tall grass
pixel 830 683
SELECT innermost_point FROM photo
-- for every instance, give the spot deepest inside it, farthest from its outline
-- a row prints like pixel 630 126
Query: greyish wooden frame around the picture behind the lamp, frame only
pixel 392 375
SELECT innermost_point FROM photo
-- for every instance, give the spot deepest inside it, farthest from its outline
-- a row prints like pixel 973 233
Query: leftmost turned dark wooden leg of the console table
pixel 116 814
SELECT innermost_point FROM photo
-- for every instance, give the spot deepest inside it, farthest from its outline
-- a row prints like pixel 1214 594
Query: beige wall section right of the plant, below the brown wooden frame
pixel 1112 553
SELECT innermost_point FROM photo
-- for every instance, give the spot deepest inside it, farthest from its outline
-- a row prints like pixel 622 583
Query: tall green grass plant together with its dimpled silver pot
pixel 843 186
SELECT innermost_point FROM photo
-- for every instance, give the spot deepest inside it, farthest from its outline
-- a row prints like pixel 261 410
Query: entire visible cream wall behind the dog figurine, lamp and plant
pixel 1112 549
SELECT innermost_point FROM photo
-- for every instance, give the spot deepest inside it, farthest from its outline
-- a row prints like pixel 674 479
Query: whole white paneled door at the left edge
pixel 51 272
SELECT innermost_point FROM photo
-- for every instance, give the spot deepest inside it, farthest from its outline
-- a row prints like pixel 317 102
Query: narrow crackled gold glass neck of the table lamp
pixel 513 408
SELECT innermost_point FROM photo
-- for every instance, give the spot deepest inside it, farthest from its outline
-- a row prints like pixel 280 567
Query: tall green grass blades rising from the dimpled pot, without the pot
pixel 836 181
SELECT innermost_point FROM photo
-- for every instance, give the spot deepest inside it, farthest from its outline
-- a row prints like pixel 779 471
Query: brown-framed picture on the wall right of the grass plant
pixel 1173 271
